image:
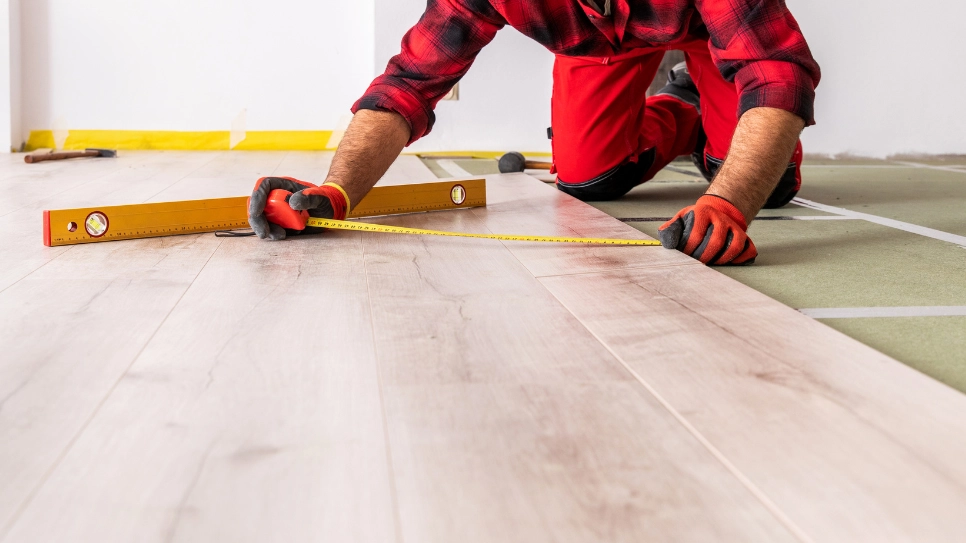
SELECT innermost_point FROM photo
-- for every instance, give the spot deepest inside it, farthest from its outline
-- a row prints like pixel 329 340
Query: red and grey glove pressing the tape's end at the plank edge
pixel 712 231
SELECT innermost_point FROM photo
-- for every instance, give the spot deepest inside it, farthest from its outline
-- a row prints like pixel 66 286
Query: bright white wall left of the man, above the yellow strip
pixel 194 64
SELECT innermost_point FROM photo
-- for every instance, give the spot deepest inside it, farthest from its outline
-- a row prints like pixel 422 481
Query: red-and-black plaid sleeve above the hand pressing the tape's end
pixel 759 45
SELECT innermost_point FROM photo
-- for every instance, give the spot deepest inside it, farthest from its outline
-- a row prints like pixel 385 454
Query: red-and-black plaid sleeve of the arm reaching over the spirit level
pixel 436 54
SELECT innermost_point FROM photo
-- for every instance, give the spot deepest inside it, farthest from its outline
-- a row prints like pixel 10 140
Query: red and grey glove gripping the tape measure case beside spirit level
pixel 325 202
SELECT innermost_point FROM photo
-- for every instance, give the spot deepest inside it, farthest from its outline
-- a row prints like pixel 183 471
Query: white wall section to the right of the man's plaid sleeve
pixel 893 74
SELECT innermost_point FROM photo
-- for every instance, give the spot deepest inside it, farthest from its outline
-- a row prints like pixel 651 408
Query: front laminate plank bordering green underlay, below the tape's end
pixel 851 444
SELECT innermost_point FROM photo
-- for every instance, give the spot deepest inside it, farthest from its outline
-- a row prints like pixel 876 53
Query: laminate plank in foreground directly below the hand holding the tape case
pixel 253 414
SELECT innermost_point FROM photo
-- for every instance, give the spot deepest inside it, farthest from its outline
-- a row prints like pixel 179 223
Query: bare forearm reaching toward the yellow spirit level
pixel 372 142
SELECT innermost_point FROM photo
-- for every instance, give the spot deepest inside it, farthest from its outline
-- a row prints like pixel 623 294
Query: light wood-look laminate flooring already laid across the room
pixel 364 387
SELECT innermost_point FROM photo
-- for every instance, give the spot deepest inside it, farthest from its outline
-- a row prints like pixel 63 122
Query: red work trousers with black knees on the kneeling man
pixel 608 137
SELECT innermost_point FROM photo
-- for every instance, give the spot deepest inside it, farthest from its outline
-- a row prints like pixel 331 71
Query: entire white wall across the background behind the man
pixel 892 71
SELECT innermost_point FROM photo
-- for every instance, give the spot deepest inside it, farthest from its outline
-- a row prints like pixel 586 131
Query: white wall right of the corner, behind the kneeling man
pixel 892 74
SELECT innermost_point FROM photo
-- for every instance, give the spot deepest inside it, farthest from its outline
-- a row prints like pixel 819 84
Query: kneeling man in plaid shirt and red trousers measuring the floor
pixel 737 106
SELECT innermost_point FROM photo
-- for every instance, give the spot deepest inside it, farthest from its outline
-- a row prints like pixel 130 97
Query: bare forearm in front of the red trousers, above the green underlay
pixel 760 150
